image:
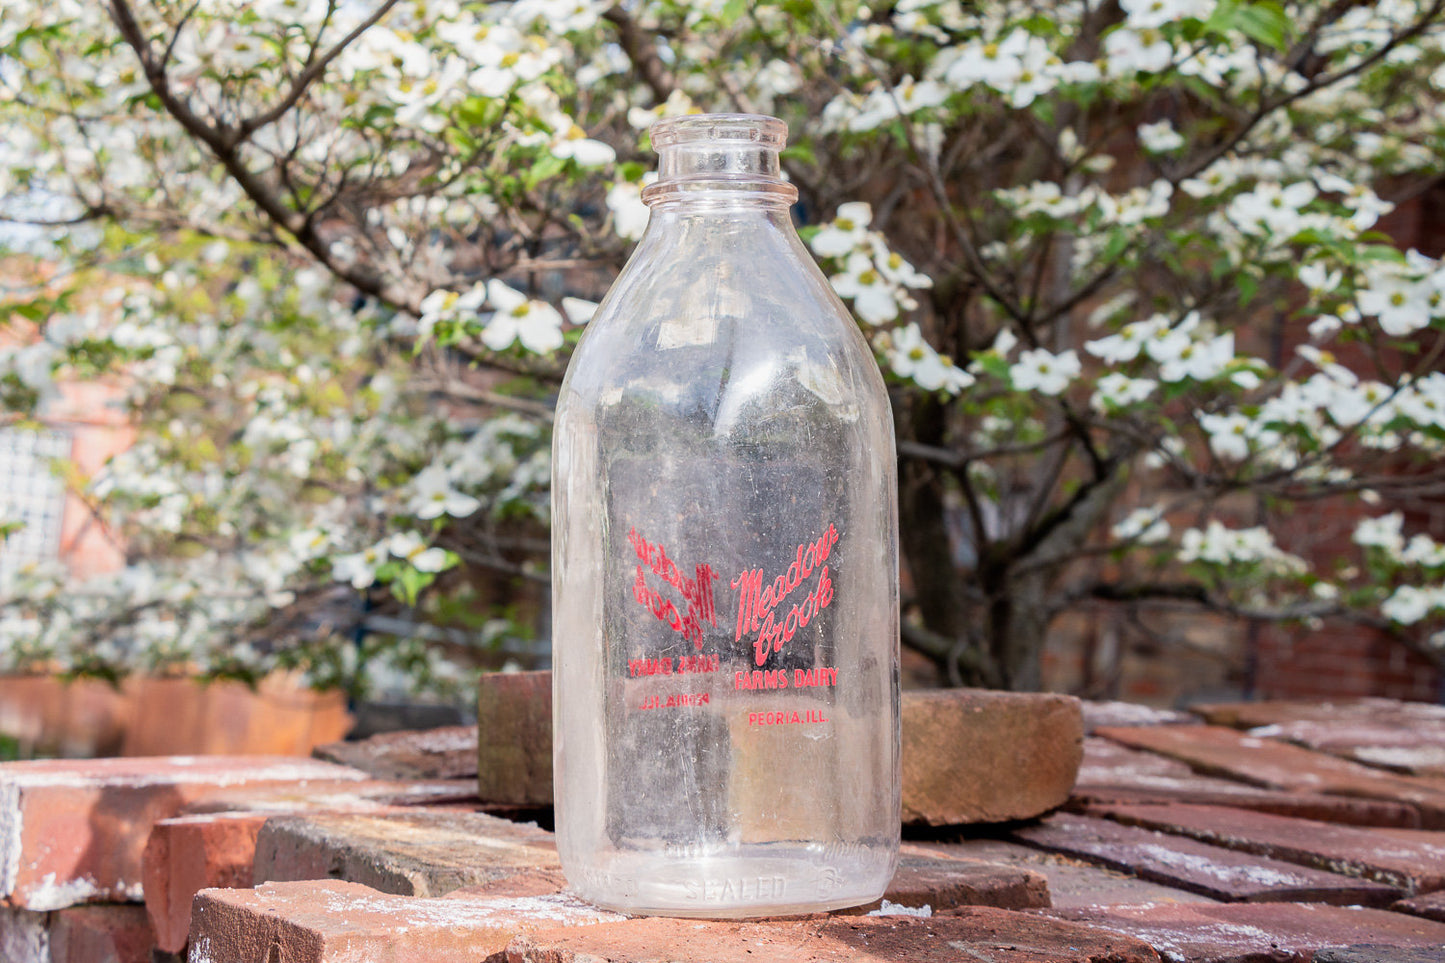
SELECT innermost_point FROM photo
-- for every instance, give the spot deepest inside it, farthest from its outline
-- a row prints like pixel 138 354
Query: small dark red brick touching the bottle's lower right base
pixel 941 883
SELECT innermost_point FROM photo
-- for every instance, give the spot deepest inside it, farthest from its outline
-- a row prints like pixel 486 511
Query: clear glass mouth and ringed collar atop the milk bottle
pixel 702 154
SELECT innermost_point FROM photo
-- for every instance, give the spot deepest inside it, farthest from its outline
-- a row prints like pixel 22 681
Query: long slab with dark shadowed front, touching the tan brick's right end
pixel 1112 773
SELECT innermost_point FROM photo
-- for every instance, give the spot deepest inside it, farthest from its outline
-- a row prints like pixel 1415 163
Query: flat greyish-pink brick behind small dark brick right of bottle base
pixel 1071 883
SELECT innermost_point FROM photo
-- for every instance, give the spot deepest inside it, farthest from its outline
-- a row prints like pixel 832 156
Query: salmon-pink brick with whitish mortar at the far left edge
pixel 74 832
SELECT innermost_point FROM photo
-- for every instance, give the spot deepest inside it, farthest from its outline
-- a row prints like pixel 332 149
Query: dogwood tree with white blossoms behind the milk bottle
pixel 1121 262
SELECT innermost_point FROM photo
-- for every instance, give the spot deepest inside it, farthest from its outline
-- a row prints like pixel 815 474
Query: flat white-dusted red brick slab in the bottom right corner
pixel 1258 932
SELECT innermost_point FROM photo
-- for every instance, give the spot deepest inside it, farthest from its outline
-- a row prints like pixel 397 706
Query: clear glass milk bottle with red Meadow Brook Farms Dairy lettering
pixel 725 563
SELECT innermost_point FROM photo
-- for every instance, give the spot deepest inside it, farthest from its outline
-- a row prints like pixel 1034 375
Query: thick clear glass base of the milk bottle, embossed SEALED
pixel 752 881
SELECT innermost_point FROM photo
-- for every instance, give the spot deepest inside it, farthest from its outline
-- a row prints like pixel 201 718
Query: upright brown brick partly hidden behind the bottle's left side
pixel 515 751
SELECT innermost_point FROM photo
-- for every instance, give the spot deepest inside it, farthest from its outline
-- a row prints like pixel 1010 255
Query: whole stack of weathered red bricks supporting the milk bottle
pixel 392 860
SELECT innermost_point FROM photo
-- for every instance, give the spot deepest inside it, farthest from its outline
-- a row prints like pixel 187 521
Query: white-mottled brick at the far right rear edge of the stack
pixel 1379 732
